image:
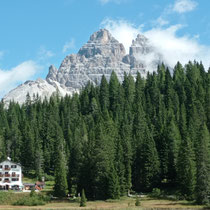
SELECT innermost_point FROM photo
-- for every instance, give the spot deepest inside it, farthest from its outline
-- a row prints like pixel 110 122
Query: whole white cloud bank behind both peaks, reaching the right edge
pixel 172 47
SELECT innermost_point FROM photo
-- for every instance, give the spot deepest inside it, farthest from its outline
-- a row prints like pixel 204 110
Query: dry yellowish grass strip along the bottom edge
pixel 122 204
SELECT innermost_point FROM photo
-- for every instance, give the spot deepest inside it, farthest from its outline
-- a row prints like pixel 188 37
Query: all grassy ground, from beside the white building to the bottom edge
pixel 125 203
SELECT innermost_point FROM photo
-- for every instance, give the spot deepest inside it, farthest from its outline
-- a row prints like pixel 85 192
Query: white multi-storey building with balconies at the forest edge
pixel 10 175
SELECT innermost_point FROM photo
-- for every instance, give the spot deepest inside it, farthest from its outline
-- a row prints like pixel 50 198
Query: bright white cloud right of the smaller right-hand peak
pixel 175 48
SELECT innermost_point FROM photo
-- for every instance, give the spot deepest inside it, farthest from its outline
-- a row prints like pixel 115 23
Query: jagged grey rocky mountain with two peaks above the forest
pixel 99 56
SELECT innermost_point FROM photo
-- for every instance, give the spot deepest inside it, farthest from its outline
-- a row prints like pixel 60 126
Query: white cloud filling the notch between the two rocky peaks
pixel 122 30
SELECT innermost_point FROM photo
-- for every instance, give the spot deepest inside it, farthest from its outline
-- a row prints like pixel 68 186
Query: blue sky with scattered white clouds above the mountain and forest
pixel 37 33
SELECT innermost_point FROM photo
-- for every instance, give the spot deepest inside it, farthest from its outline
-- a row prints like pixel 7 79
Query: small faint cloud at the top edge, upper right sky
pixel 182 6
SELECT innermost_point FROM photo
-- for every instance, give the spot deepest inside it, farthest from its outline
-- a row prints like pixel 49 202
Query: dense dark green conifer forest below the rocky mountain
pixel 113 138
